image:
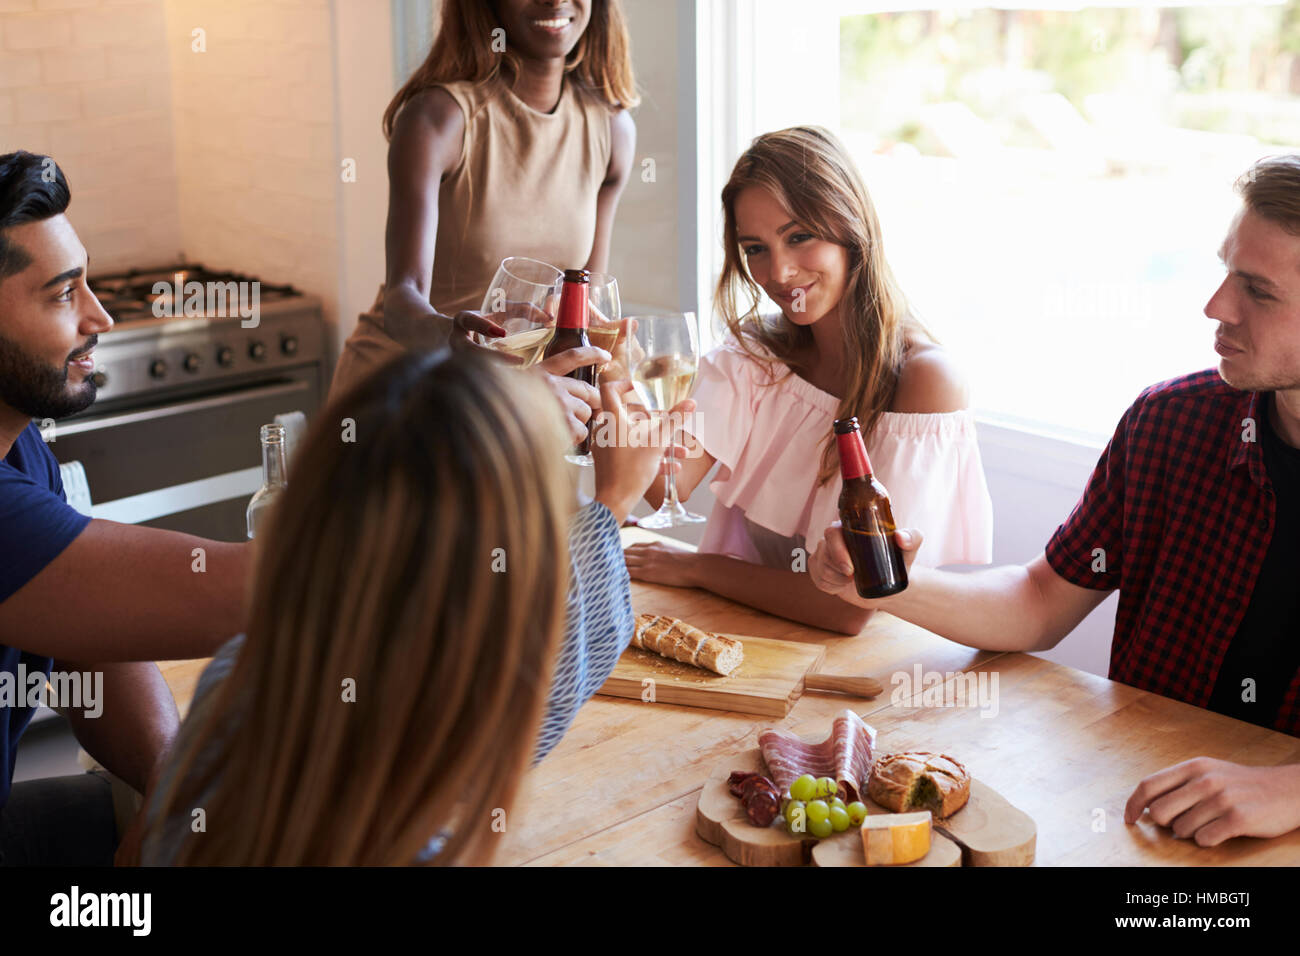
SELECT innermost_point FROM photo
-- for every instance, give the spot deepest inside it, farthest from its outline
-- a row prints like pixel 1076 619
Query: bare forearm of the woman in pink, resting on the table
pixel 786 594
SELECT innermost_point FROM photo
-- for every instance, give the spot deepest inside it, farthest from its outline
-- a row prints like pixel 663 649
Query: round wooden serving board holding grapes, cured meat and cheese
pixel 989 832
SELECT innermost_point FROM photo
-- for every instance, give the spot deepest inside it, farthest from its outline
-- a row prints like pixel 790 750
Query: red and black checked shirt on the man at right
pixel 1184 512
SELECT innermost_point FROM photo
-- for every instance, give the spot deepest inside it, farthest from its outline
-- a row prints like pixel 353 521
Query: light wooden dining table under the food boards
pixel 1064 746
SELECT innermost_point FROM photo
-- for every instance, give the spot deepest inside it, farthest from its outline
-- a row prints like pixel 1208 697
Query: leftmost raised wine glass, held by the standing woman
pixel 523 300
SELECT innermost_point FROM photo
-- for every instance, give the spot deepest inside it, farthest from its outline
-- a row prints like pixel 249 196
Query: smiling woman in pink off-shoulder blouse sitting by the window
pixel 801 227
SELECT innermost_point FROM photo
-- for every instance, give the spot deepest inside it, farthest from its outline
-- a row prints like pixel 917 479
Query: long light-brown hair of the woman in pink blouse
pixel 809 172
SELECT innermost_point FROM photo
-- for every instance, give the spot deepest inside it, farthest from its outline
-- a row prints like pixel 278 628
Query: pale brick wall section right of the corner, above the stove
pixel 255 129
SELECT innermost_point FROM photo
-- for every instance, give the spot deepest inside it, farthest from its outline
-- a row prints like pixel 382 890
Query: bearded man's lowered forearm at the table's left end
pixel 137 720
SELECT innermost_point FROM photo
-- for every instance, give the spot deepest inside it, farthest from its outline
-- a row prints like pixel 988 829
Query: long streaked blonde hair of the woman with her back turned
pixel 424 565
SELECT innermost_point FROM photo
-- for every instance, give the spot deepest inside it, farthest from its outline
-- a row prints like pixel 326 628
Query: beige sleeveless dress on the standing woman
pixel 526 185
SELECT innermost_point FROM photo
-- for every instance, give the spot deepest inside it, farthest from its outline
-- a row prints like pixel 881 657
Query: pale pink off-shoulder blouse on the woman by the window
pixel 768 439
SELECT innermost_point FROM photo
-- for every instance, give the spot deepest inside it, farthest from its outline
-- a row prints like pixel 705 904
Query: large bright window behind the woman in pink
pixel 1054 183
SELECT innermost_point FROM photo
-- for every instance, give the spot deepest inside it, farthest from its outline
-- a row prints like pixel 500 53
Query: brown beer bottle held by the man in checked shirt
pixel 866 520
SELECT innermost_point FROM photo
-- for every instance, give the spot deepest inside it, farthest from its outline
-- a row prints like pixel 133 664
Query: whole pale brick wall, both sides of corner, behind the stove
pixel 227 155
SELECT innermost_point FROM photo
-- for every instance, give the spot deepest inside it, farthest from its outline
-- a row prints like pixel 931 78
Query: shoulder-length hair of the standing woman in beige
pixel 465 50
